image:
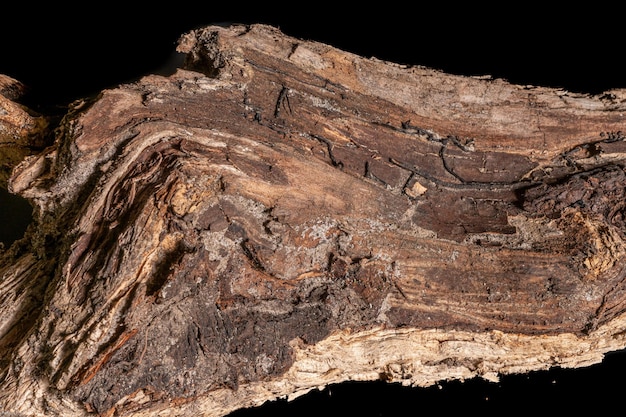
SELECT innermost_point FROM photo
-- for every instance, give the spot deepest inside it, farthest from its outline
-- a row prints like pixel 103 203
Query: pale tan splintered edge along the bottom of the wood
pixel 411 357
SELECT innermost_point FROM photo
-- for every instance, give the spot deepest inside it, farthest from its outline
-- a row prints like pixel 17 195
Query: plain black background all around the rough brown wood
pixel 66 52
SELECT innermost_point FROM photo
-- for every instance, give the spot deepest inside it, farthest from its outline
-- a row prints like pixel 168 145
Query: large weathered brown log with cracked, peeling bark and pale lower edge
pixel 281 215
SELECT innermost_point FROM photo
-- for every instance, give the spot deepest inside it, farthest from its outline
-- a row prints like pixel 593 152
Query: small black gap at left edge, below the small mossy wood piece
pixel 15 216
